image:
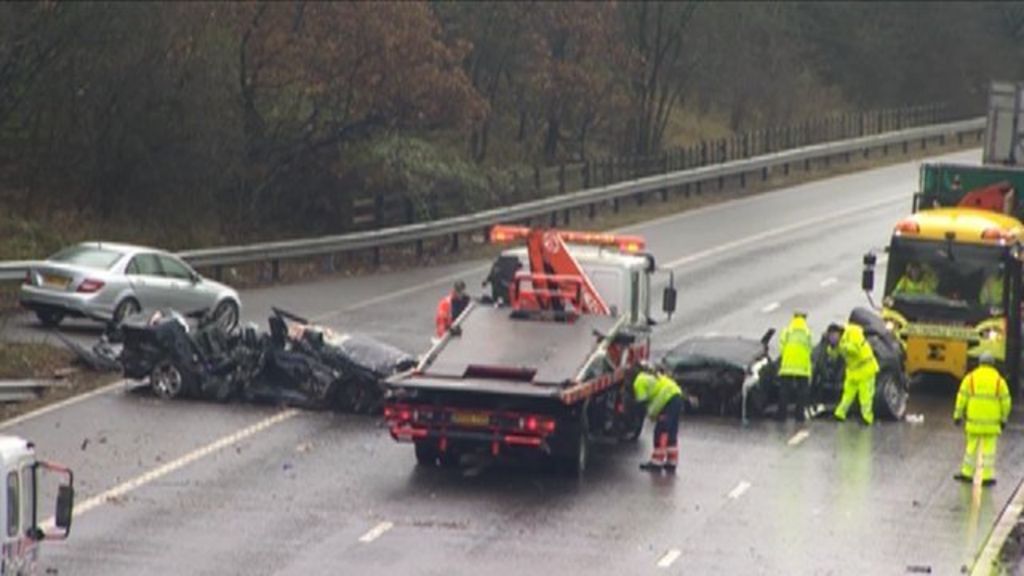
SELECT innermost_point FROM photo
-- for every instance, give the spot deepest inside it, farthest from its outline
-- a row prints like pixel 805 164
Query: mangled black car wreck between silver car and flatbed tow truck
pixel 296 362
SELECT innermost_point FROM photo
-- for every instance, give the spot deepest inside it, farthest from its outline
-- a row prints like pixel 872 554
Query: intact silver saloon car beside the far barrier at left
pixel 107 282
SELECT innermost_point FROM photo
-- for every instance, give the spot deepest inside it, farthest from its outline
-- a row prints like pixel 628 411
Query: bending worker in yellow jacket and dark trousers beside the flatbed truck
pixel 664 400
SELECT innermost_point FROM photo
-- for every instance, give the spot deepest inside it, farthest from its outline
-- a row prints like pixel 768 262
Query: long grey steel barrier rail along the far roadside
pixel 276 252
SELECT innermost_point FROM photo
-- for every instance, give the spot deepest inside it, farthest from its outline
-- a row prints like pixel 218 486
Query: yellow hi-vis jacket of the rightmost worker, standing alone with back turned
pixel 986 398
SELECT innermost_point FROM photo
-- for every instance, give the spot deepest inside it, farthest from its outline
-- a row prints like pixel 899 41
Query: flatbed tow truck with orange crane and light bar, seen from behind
pixel 547 374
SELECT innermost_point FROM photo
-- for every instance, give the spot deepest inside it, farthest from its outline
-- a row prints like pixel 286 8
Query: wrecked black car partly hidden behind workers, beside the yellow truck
pixel 738 377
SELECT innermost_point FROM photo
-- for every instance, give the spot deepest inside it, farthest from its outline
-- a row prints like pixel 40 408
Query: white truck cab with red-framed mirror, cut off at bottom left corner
pixel 27 480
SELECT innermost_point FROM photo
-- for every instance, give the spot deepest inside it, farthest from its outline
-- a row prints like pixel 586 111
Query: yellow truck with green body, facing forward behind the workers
pixel 953 285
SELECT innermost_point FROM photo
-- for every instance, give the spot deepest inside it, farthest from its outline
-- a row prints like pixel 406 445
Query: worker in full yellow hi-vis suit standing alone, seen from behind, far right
pixel 985 398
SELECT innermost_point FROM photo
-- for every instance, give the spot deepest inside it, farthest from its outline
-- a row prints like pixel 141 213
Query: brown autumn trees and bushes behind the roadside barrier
pixel 197 124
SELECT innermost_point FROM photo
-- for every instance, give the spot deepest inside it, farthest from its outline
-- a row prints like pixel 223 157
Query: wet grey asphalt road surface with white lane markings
pixel 192 488
